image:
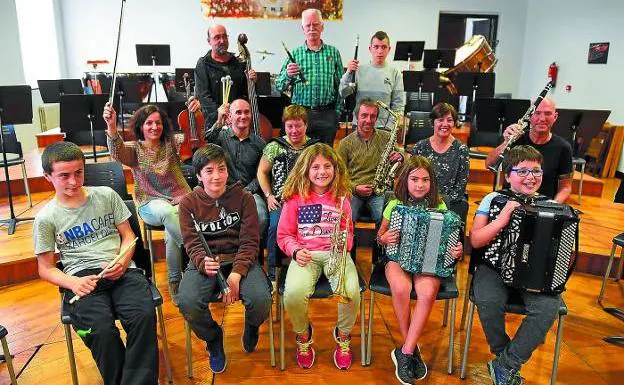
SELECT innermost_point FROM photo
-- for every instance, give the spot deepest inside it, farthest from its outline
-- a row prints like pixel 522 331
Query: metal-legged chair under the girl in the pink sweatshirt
pixel 321 290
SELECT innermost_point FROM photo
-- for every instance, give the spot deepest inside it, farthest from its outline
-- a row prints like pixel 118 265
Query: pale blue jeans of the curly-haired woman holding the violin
pixel 158 212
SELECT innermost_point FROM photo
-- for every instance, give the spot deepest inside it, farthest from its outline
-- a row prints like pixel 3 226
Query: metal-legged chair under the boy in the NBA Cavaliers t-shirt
pixel 141 260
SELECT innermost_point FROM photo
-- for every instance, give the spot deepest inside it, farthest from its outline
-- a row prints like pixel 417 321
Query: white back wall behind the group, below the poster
pixel 90 30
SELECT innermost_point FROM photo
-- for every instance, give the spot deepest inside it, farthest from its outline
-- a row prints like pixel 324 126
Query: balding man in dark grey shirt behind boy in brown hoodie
pixel 244 149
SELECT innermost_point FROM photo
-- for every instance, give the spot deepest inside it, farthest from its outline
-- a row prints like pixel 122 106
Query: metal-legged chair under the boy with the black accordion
pixel 514 305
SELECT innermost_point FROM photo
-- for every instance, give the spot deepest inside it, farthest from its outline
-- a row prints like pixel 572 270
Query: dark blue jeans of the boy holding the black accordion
pixel 490 295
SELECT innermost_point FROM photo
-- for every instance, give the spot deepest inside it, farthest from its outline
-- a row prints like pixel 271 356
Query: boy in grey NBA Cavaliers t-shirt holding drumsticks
pixel 89 226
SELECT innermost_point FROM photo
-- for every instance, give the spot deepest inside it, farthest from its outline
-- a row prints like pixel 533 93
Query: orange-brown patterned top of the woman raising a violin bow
pixel 157 172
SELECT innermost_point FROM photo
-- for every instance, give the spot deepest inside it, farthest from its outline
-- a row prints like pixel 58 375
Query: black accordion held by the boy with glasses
pixel 536 250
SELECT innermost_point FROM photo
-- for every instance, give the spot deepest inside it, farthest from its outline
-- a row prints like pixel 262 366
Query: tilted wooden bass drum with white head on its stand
pixel 475 55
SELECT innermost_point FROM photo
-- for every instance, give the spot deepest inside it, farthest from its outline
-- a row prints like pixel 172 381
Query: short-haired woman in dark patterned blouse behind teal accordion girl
pixel 449 157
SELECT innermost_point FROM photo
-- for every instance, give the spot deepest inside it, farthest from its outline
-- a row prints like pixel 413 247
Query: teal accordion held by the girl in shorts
pixel 426 238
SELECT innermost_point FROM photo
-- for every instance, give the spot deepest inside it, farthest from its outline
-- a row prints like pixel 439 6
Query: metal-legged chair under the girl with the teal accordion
pixel 378 283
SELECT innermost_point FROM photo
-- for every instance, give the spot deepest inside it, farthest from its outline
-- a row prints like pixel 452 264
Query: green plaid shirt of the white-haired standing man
pixel 322 70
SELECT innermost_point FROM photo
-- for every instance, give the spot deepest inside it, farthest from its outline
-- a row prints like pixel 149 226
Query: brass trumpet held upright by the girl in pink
pixel 337 263
